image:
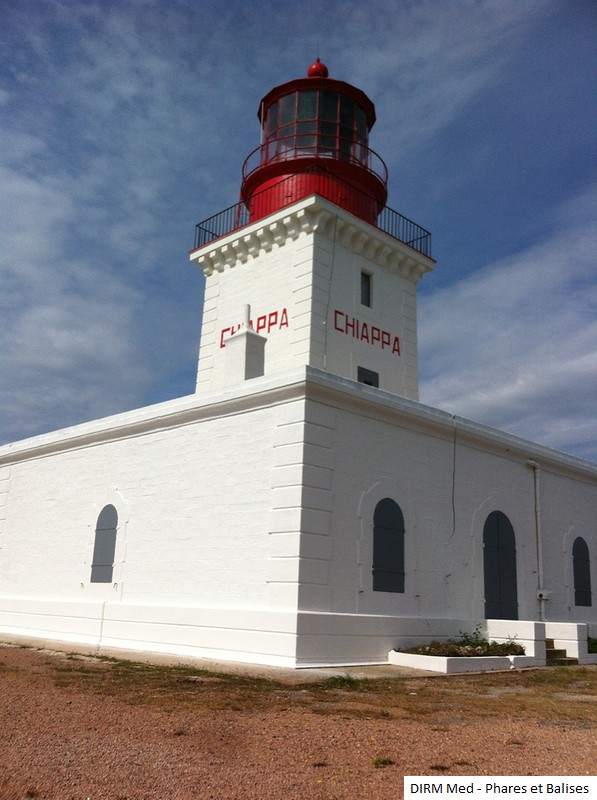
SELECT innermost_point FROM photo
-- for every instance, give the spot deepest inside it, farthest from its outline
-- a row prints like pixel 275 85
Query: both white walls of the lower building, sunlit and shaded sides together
pixel 245 524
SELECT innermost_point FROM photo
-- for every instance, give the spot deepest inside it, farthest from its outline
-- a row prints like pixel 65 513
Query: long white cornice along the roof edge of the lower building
pixel 308 383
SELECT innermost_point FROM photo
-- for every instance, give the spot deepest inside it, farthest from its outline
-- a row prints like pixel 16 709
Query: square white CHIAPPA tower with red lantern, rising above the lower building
pixel 311 267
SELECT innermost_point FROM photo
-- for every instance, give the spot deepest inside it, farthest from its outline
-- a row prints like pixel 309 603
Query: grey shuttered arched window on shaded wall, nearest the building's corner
pixel 388 547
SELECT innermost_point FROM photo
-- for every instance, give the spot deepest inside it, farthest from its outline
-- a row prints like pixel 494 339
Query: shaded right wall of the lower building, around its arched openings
pixel 447 476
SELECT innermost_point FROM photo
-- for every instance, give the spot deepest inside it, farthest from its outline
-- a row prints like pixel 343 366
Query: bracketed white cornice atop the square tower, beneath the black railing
pixel 313 215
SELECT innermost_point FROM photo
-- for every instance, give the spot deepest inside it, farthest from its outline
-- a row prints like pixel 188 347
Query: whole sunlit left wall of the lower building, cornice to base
pixel 196 565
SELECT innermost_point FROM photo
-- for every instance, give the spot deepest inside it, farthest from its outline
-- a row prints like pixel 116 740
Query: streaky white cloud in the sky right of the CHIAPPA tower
pixel 515 344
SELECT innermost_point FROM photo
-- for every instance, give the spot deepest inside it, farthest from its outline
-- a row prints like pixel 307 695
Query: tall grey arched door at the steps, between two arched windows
pixel 499 567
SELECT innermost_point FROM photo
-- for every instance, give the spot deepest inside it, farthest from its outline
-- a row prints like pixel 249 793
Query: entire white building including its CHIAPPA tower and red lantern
pixel 302 507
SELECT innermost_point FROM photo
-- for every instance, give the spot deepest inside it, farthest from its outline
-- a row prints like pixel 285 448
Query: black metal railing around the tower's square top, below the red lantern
pixel 284 193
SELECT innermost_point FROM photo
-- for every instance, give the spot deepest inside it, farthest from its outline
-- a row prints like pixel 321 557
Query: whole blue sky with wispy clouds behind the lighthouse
pixel 124 124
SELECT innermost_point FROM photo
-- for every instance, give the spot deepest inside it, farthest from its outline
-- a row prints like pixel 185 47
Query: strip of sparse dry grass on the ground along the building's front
pixel 546 694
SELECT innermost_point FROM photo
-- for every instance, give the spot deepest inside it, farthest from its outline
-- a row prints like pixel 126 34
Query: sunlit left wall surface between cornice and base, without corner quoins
pixel 173 490
